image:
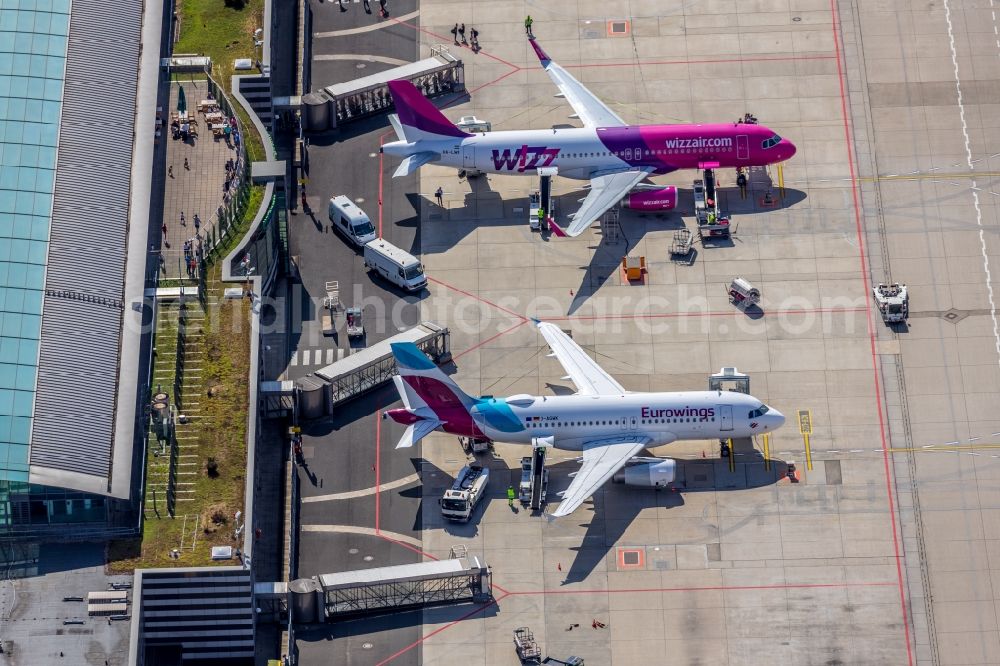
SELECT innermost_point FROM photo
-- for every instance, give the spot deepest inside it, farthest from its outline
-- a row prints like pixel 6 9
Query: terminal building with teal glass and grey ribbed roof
pixel 77 114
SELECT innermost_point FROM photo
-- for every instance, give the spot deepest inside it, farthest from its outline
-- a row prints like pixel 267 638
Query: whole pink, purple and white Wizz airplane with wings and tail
pixel 614 156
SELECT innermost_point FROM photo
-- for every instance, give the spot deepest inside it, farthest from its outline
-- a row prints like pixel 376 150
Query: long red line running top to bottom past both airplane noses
pixel 871 329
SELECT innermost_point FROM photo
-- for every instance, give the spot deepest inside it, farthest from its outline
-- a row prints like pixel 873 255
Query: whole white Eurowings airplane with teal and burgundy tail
pixel 608 424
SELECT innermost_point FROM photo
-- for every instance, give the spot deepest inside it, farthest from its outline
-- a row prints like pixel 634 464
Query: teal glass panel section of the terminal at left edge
pixel 33 36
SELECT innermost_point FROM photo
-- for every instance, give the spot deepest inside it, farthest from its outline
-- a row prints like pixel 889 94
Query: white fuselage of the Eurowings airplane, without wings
pixel 573 420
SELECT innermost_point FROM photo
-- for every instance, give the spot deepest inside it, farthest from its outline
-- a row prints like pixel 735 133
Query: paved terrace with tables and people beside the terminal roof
pixel 195 178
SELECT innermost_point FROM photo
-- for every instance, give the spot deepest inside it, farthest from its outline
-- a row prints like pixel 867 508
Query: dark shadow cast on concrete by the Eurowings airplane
pixel 614 507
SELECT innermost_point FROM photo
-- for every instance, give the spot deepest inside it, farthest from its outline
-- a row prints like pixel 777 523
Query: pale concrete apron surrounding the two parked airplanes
pixel 885 547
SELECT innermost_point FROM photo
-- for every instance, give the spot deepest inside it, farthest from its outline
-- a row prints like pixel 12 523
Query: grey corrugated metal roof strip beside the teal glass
pixel 76 392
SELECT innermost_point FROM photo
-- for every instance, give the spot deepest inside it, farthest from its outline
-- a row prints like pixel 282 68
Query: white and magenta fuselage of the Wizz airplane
pixel 581 152
